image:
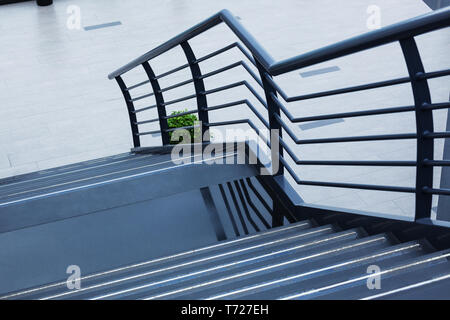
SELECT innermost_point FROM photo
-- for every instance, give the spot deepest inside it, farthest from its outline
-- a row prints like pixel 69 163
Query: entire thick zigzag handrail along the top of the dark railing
pixel 415 26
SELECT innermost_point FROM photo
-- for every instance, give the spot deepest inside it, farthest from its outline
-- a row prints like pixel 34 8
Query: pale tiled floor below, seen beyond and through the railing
pixel 57 106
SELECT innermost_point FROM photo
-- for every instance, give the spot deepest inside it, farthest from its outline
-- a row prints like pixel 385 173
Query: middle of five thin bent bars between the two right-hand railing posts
pixel 343 139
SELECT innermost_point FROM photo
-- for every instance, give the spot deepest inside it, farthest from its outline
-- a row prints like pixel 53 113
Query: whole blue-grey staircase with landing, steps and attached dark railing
pixel 144 227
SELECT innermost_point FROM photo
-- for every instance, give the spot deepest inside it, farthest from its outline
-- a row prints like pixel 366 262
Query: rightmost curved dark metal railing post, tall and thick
pixel 424 125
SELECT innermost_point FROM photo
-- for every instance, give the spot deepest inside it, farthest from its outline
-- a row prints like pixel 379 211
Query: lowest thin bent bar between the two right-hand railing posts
pixel 344 185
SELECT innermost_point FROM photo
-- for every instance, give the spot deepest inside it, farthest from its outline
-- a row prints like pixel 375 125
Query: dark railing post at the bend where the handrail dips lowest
pixel 273 111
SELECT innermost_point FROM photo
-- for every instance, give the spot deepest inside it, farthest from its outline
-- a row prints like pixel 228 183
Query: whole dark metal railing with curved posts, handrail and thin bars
pixel 404 33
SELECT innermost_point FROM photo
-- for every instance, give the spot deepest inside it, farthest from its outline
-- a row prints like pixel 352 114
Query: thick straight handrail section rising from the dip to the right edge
pixel 415 26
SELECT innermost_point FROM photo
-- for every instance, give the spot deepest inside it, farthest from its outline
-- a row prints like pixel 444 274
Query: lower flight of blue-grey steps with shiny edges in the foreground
pixel 299 261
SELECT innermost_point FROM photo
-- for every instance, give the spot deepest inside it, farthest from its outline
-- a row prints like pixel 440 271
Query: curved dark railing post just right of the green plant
pixel 199 85
